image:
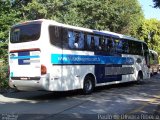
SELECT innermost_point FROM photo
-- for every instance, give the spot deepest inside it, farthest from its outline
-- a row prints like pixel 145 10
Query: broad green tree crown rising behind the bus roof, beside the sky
pixel 116 16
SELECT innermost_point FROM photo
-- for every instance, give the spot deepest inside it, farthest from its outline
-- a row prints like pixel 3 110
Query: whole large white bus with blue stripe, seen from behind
pixel 47 55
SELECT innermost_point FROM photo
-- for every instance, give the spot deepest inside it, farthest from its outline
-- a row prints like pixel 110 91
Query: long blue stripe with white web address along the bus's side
pixel 90 59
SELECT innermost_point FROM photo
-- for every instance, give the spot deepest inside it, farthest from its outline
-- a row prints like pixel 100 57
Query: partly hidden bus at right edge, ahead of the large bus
pixel 154 63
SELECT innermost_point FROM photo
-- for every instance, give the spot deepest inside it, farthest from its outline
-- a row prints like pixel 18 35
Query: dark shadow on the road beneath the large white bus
pixel 45 95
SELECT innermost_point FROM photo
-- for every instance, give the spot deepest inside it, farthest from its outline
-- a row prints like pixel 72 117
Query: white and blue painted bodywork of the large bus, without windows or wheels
pixel 67 69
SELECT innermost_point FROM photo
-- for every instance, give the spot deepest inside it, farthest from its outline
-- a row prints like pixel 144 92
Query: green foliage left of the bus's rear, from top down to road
pixel 8 16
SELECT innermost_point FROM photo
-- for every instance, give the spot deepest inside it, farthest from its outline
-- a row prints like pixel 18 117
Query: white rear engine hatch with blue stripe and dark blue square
pixel 22 63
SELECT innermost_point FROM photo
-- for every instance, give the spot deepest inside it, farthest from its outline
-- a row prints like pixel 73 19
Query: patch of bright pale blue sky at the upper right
pixel 149 11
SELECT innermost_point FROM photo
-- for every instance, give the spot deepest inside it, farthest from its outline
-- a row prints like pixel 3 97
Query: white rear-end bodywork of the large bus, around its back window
pixel 25 63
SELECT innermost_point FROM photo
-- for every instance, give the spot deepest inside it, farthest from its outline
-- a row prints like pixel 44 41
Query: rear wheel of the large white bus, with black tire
pixel 88 85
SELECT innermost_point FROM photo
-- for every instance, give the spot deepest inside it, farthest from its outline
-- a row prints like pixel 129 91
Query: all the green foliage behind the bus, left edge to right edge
pixel 114 15
